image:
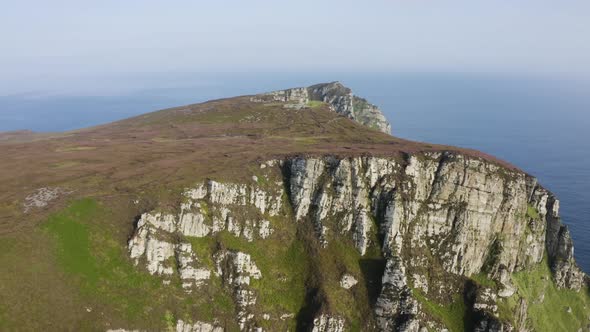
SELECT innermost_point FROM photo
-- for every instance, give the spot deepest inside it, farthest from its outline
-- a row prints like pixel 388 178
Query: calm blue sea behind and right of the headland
pixel 541 125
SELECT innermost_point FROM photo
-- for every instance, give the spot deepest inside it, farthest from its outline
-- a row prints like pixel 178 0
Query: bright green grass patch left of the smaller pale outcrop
pixel 98 266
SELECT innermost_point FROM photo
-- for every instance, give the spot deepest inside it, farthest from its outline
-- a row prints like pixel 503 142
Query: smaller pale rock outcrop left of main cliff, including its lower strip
pixel 161 241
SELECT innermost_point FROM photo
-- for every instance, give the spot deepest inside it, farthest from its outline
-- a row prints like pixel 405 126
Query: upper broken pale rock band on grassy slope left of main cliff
pixel 207 209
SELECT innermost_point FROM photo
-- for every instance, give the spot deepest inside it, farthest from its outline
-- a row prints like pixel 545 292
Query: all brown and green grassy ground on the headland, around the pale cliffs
pixel 56 266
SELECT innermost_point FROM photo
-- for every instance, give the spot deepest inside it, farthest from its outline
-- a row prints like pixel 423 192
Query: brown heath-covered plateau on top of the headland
pixel 179 146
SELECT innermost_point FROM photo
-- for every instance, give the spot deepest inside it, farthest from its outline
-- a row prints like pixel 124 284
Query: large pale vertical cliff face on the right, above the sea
pixel 438 216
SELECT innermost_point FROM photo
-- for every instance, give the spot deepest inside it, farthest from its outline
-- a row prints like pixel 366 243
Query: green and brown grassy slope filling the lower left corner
pixel 76 265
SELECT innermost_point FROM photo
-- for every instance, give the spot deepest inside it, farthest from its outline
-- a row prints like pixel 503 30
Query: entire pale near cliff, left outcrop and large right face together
pixel 436 219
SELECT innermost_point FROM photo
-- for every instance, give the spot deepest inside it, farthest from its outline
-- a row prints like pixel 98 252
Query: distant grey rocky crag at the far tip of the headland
pixel 340 99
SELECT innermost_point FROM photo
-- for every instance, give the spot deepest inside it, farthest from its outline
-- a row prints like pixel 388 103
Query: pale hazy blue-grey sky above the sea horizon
pixel 50 42
